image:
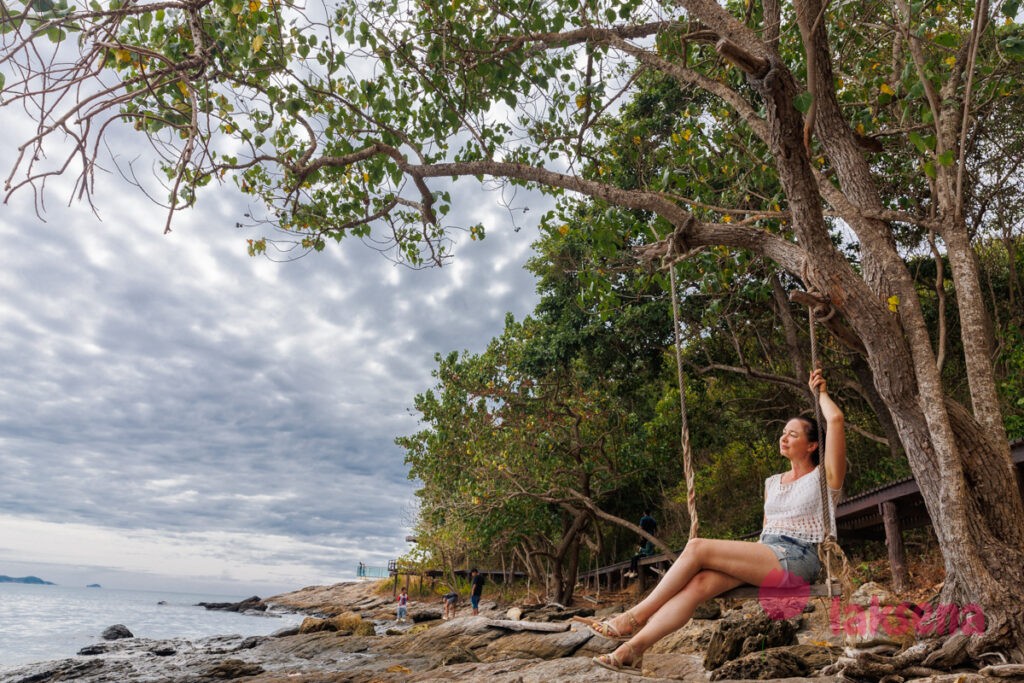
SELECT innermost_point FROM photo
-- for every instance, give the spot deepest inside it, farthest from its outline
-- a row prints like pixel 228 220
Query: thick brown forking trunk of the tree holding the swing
pixel 963 473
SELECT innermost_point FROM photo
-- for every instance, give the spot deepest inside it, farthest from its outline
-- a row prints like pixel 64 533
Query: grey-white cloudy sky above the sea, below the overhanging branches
pixel 177 415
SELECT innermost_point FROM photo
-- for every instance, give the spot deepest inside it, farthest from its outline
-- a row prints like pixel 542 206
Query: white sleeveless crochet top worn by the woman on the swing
pixel 795 509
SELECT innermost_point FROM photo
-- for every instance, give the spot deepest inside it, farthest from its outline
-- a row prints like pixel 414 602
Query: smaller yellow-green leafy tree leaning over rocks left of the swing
pixel 521 461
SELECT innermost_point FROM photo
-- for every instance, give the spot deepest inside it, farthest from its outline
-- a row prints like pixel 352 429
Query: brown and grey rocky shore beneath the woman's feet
pixel 351 634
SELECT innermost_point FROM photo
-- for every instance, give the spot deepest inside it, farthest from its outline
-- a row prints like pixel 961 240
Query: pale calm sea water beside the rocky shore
pixel 45 623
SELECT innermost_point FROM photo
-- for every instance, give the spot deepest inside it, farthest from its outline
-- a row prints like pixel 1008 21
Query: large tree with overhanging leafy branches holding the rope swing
pixel 806 129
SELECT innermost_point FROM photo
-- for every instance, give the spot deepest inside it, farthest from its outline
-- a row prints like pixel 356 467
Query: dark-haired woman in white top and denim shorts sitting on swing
pixel 793 528
